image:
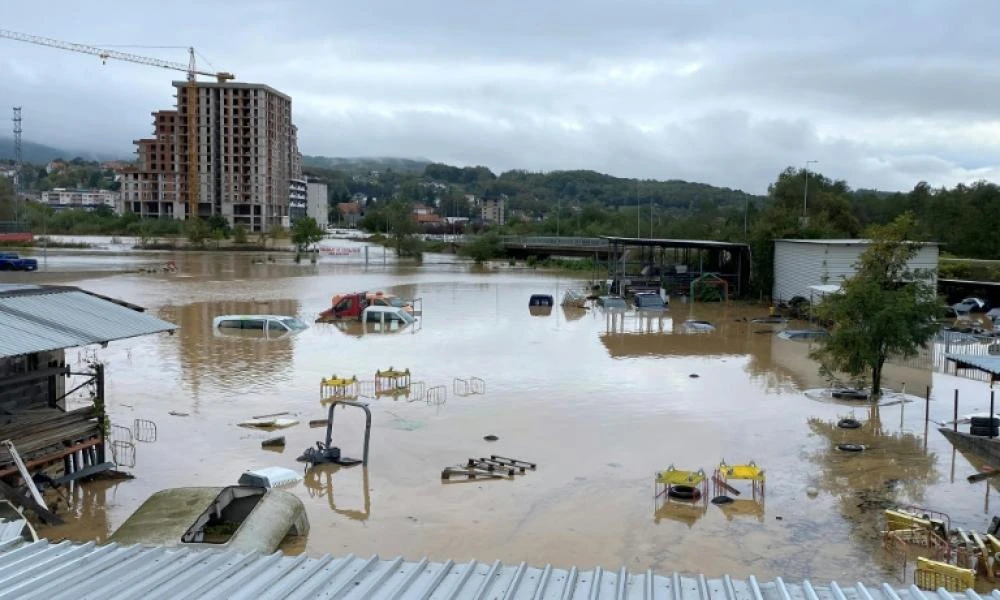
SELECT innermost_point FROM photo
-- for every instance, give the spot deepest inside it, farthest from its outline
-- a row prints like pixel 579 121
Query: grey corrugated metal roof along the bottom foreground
pixel 77 571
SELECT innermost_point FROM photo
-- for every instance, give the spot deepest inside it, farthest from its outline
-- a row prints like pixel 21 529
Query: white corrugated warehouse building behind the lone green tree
pixel 802 264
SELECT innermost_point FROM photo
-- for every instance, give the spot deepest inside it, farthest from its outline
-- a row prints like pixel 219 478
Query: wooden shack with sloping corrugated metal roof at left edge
pixel 37 324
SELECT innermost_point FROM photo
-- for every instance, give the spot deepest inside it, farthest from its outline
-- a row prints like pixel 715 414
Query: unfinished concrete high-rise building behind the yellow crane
pixel 246 155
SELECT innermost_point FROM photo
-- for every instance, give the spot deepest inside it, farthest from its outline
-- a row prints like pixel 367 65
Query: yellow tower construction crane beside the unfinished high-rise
pixel 191 92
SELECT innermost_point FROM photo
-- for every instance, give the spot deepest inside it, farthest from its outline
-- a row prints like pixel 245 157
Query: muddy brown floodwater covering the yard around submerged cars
pixel 600 402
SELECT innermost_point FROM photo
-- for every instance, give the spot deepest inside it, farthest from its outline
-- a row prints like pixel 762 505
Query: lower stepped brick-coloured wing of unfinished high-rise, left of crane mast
pixel 150 188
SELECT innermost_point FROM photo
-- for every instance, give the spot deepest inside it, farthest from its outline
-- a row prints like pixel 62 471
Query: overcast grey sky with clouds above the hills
pixel 882 93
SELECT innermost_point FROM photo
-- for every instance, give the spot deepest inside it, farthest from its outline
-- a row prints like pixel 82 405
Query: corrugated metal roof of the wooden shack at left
pixel 36 319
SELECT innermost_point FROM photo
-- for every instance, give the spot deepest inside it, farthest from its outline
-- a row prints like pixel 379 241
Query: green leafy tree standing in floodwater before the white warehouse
pixel 884 310
